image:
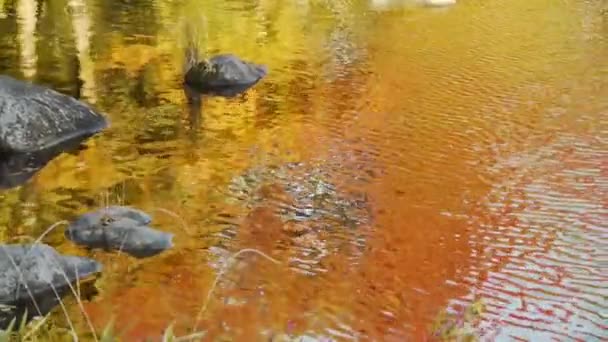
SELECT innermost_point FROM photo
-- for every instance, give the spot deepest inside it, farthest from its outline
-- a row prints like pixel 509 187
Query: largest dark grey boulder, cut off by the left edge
pixel 34 117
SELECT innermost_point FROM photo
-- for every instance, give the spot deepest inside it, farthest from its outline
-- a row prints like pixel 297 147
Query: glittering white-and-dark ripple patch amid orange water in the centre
pixel 315 218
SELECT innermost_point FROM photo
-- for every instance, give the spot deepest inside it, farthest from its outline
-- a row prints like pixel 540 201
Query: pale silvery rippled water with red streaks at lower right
pixel 542 246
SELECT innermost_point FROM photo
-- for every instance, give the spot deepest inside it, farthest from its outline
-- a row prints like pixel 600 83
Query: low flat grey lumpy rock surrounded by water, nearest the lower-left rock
pixel 118 228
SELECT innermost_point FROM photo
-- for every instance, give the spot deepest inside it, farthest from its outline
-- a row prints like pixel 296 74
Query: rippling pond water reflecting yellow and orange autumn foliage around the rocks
pixel 398 162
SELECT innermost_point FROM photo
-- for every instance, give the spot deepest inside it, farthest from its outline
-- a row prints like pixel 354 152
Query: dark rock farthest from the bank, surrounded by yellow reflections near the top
pixel 224 75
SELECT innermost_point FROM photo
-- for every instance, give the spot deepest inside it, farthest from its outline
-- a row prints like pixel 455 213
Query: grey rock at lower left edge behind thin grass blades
pixel 34 277
